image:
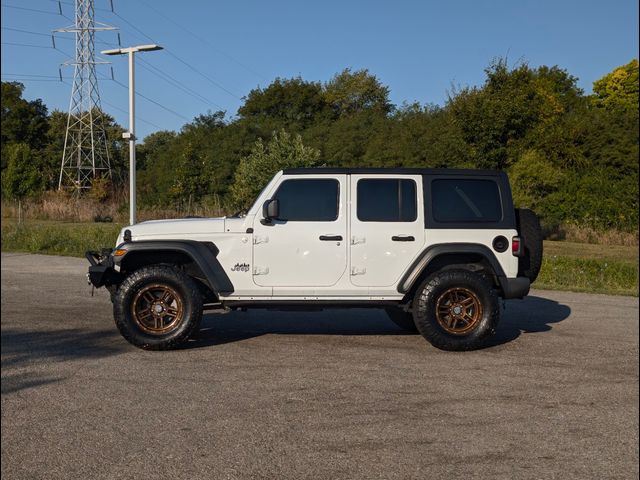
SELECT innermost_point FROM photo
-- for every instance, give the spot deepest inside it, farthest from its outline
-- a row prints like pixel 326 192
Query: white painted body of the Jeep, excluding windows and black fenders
pixel 342 259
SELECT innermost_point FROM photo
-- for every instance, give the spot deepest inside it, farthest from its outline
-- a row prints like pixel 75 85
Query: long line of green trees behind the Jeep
pixel 572 157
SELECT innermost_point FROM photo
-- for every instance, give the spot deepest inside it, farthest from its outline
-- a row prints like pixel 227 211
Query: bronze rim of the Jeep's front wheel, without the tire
pixel 157 309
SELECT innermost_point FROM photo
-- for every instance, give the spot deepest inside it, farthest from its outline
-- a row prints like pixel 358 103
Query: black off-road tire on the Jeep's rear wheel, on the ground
pixel 430 296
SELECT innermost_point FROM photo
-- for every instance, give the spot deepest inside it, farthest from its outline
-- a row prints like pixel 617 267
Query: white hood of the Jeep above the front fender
pixel 182 228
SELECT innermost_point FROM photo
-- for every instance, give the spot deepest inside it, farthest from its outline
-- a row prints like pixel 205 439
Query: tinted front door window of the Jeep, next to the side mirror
pixel 310 200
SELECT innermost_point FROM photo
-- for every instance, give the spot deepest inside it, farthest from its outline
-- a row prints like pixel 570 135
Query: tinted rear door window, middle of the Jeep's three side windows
pixel 387 200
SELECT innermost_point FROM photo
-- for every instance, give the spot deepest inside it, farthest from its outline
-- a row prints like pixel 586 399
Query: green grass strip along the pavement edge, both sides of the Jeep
pixel 570 266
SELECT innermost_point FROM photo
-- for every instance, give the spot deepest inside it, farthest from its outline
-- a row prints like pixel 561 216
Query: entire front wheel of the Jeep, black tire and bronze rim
pixel 157 307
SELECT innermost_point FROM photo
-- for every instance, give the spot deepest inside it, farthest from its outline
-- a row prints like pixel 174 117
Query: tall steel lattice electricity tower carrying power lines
pixel 86 155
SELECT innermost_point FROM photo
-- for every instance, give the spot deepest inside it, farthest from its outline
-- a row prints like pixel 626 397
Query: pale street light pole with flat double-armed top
pixel 130 135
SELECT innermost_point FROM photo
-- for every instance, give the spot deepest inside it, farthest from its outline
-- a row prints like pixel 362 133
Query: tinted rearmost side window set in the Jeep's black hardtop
pixel 465 201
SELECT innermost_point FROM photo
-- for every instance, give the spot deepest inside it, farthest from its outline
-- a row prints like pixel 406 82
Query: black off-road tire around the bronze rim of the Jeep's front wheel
pixel 172 279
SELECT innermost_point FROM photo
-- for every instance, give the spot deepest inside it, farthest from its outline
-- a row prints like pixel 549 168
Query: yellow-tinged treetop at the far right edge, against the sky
pixel 618 88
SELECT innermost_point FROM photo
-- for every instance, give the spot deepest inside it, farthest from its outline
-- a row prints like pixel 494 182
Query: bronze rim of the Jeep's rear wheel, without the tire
pixel 458 311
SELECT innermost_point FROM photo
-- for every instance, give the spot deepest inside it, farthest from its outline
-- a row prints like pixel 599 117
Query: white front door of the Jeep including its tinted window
pixel 307 245
